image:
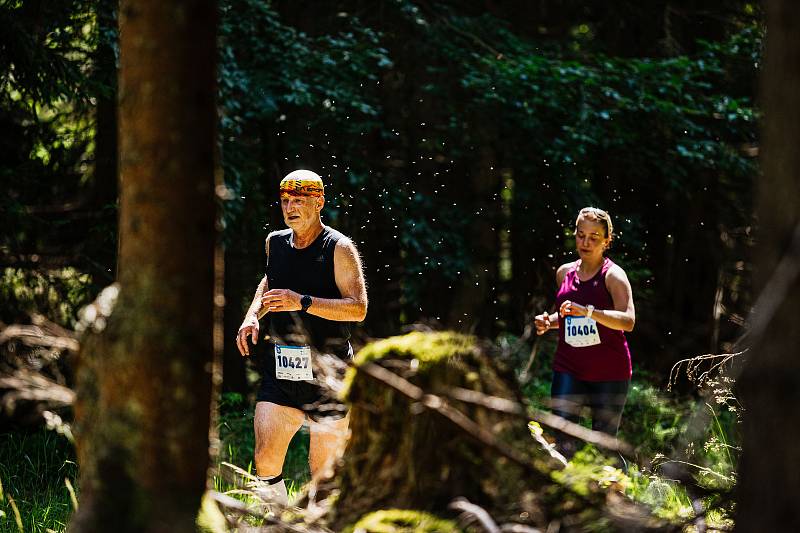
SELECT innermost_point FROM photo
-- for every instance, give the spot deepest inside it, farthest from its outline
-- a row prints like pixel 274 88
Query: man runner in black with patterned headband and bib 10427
pixel 313 289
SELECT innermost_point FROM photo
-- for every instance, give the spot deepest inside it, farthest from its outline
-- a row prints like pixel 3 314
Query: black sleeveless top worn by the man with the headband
pixel 306 271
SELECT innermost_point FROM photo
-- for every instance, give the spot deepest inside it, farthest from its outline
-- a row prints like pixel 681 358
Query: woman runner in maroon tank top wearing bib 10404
pixel 592 366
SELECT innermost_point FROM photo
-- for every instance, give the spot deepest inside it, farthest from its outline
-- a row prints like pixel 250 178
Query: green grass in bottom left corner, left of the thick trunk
pixel 33 467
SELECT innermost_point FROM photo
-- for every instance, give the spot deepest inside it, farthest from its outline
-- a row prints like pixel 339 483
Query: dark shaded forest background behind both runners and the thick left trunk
pixel 457 140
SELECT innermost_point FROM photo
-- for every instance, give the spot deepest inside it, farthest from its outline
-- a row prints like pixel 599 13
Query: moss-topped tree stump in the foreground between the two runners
pixel 404 455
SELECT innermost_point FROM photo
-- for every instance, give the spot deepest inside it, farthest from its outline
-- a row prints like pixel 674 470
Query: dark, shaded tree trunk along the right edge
pixel 770 467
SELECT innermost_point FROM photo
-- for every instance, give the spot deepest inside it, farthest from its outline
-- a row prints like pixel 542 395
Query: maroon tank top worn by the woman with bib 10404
pixel 611 359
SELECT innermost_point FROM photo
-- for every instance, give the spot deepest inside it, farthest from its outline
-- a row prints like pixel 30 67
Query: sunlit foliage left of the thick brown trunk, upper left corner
pixel 51 78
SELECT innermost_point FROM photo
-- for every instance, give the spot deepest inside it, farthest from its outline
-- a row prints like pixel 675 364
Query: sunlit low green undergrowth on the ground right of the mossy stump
pixel 656 424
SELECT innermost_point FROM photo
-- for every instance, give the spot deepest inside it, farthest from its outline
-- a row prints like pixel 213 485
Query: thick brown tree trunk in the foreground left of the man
pixel 145 382
